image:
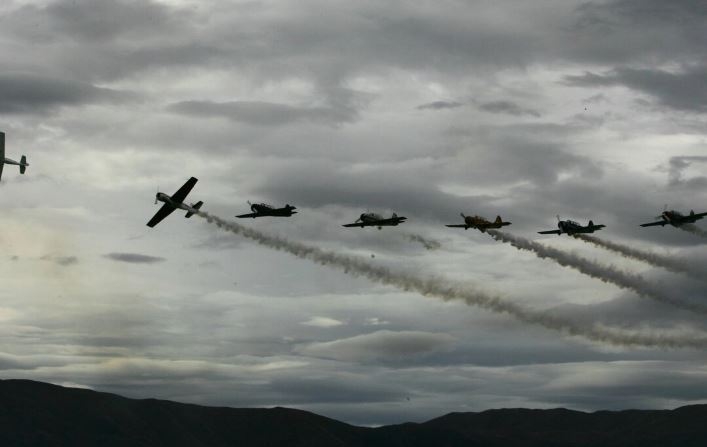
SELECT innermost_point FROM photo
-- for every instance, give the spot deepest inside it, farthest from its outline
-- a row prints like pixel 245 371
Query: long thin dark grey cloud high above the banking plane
pixel 261 113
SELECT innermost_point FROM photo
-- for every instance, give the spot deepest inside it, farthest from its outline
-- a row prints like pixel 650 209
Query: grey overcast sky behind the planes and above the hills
pixel 586 109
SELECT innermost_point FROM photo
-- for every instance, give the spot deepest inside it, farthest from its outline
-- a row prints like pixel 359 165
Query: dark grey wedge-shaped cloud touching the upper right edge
pixel 684 90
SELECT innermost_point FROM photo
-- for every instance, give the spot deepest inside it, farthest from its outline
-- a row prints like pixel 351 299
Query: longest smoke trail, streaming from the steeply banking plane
pixel 447 291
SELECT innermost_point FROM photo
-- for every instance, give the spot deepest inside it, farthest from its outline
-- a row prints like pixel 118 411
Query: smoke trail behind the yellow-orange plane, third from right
pixel 608 274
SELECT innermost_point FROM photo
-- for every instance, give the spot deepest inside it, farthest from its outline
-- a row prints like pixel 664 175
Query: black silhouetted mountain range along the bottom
pixel 40 414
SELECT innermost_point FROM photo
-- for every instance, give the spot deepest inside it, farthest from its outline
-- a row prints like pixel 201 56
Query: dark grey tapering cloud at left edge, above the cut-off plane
pixel 29 94
